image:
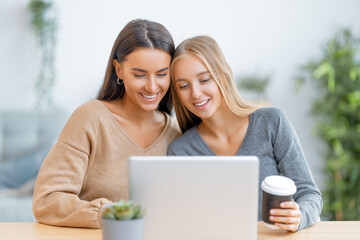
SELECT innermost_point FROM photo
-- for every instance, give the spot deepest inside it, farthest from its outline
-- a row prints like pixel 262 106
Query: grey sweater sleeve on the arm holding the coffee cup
pixel 292 163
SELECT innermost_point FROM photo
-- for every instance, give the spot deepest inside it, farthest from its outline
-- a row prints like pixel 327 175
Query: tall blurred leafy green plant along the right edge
pixel 336 76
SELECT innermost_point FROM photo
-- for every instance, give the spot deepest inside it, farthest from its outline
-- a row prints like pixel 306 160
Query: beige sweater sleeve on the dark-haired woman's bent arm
pixel 56 195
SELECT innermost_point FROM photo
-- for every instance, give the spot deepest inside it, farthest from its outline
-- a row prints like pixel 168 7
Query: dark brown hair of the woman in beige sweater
pixel 137 33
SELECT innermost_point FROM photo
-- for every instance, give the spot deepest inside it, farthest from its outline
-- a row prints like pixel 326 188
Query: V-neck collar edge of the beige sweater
pixel 116 123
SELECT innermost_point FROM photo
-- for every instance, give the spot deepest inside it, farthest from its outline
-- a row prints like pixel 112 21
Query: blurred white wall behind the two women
pixel 261 36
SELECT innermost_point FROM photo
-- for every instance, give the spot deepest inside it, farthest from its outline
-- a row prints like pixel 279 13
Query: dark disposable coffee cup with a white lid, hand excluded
pixel 275 190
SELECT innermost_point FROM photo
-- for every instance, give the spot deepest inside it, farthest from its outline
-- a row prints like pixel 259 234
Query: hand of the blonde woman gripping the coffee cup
pixel 287 216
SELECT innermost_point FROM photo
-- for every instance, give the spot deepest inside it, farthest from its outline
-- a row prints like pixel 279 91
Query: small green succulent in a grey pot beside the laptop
pixel 123 220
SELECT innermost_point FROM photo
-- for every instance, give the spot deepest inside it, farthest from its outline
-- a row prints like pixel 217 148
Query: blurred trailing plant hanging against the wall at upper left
pixel 43 22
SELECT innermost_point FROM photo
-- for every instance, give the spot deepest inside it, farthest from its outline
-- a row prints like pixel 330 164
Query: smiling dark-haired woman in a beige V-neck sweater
pixel 87 167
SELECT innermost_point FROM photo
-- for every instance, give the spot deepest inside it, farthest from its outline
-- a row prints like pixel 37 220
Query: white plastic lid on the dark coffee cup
pixel 278 185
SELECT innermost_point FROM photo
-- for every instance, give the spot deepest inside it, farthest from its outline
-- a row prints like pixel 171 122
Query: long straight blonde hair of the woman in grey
pixel 210 53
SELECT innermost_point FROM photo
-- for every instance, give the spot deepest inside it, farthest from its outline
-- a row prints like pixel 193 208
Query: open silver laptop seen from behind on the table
pixel 196 197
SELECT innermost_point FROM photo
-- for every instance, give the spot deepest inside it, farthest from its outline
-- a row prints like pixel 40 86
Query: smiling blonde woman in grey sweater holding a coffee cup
pixel 215 120
